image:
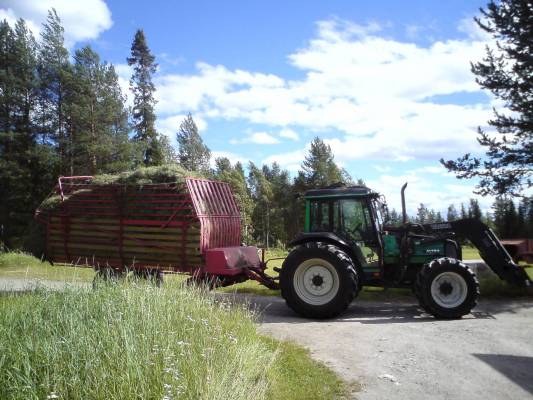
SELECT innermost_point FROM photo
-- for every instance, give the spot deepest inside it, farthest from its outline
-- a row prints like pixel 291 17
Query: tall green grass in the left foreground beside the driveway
pixel 129 342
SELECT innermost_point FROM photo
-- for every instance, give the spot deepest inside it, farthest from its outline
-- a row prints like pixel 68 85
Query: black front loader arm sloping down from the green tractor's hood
pixel 489 246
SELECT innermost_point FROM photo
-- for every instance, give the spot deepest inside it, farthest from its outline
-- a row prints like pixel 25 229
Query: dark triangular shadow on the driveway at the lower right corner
pixel 518 369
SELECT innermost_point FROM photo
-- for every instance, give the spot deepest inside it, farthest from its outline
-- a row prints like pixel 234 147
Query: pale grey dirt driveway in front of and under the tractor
pixel 396 352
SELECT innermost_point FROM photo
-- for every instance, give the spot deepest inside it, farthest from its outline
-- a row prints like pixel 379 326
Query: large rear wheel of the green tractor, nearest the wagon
pixel 318 280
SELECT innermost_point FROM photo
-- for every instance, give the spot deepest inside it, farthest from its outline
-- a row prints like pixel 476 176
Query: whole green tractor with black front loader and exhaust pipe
pixel 345 246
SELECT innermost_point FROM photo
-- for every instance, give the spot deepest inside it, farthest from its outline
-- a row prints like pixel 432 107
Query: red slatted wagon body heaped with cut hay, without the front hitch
pixel 143 218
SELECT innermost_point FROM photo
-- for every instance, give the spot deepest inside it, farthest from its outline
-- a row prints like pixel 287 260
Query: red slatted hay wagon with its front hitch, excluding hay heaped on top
pixel 192 227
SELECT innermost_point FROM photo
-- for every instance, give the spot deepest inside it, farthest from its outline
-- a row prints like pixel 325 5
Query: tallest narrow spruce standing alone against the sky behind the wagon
pixel 143 89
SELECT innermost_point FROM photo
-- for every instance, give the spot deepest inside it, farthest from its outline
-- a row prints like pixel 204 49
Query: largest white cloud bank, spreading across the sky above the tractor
pixel 376 93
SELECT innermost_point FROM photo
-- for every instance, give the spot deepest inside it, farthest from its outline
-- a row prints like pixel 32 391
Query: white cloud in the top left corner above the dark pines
pixel 82 20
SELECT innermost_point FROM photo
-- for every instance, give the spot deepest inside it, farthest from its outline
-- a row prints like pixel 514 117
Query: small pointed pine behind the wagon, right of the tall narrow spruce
pixel 193 154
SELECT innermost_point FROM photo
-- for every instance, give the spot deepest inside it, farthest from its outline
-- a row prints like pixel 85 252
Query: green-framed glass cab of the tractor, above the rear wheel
pixel 352 216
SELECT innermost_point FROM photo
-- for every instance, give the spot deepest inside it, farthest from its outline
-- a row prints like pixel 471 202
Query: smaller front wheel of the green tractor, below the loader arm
pixel 447 288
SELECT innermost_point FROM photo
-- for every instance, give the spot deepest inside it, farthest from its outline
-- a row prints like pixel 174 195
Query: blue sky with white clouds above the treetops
pixel 386 84
